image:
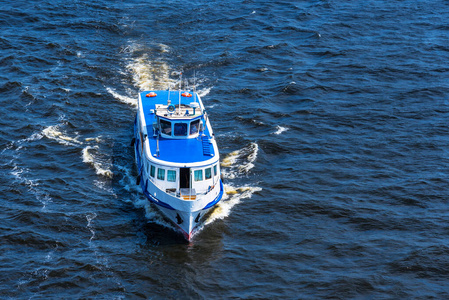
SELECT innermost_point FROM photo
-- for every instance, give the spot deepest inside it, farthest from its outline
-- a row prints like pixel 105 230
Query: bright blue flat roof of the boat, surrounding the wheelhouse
pixel 175 150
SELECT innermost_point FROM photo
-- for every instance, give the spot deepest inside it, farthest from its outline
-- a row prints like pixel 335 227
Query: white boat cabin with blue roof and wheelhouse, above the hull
pixel 181 142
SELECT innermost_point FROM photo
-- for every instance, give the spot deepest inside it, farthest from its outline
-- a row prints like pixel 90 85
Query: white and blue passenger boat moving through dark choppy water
pixel 177 157
